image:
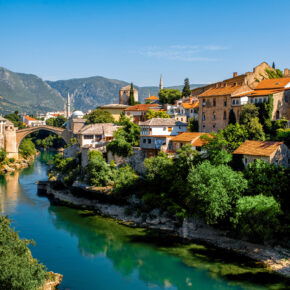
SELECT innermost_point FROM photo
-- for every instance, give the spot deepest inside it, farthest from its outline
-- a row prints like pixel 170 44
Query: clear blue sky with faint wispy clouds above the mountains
pixel 137 40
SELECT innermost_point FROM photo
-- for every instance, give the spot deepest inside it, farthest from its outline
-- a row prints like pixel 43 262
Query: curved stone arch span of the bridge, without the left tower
pixel 65 134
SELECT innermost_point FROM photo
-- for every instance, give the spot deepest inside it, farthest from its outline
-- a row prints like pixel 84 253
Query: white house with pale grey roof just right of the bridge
pixel 96 135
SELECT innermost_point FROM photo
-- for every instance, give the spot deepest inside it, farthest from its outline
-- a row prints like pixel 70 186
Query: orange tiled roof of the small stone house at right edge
pixel 258 148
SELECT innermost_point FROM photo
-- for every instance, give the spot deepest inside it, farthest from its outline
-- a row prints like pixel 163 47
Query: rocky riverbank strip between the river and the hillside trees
pixel 275 258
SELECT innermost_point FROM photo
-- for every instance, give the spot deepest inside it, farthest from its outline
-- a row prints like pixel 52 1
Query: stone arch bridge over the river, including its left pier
pixel 15 140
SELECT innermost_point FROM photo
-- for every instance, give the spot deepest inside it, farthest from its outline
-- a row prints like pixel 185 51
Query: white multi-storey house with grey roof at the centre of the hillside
pixel 156 134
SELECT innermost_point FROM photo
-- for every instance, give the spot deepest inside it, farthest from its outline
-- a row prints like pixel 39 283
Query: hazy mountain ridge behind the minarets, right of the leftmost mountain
pixel 88 93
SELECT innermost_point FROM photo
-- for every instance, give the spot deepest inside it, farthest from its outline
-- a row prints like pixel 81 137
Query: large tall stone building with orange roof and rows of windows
pixel 217 100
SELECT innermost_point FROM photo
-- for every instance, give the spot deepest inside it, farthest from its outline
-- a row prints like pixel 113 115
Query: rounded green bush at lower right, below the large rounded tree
pixel 257 217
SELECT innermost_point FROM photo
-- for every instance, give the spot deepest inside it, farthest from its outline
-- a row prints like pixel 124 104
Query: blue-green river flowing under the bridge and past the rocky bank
pixel 93 252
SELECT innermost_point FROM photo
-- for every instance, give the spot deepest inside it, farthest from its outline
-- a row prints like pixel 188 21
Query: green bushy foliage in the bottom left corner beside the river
pixel 18 269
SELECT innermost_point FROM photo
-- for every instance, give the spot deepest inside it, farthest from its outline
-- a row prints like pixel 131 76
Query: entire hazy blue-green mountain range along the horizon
pixel 29 93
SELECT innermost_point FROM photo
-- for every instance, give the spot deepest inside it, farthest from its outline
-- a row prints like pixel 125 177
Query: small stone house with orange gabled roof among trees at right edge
pixel 269 151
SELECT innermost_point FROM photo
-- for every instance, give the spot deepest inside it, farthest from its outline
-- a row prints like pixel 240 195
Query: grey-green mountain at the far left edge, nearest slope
pixel 29 92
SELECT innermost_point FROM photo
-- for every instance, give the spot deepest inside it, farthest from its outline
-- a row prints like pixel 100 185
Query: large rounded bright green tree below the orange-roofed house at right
pixel 214 191
